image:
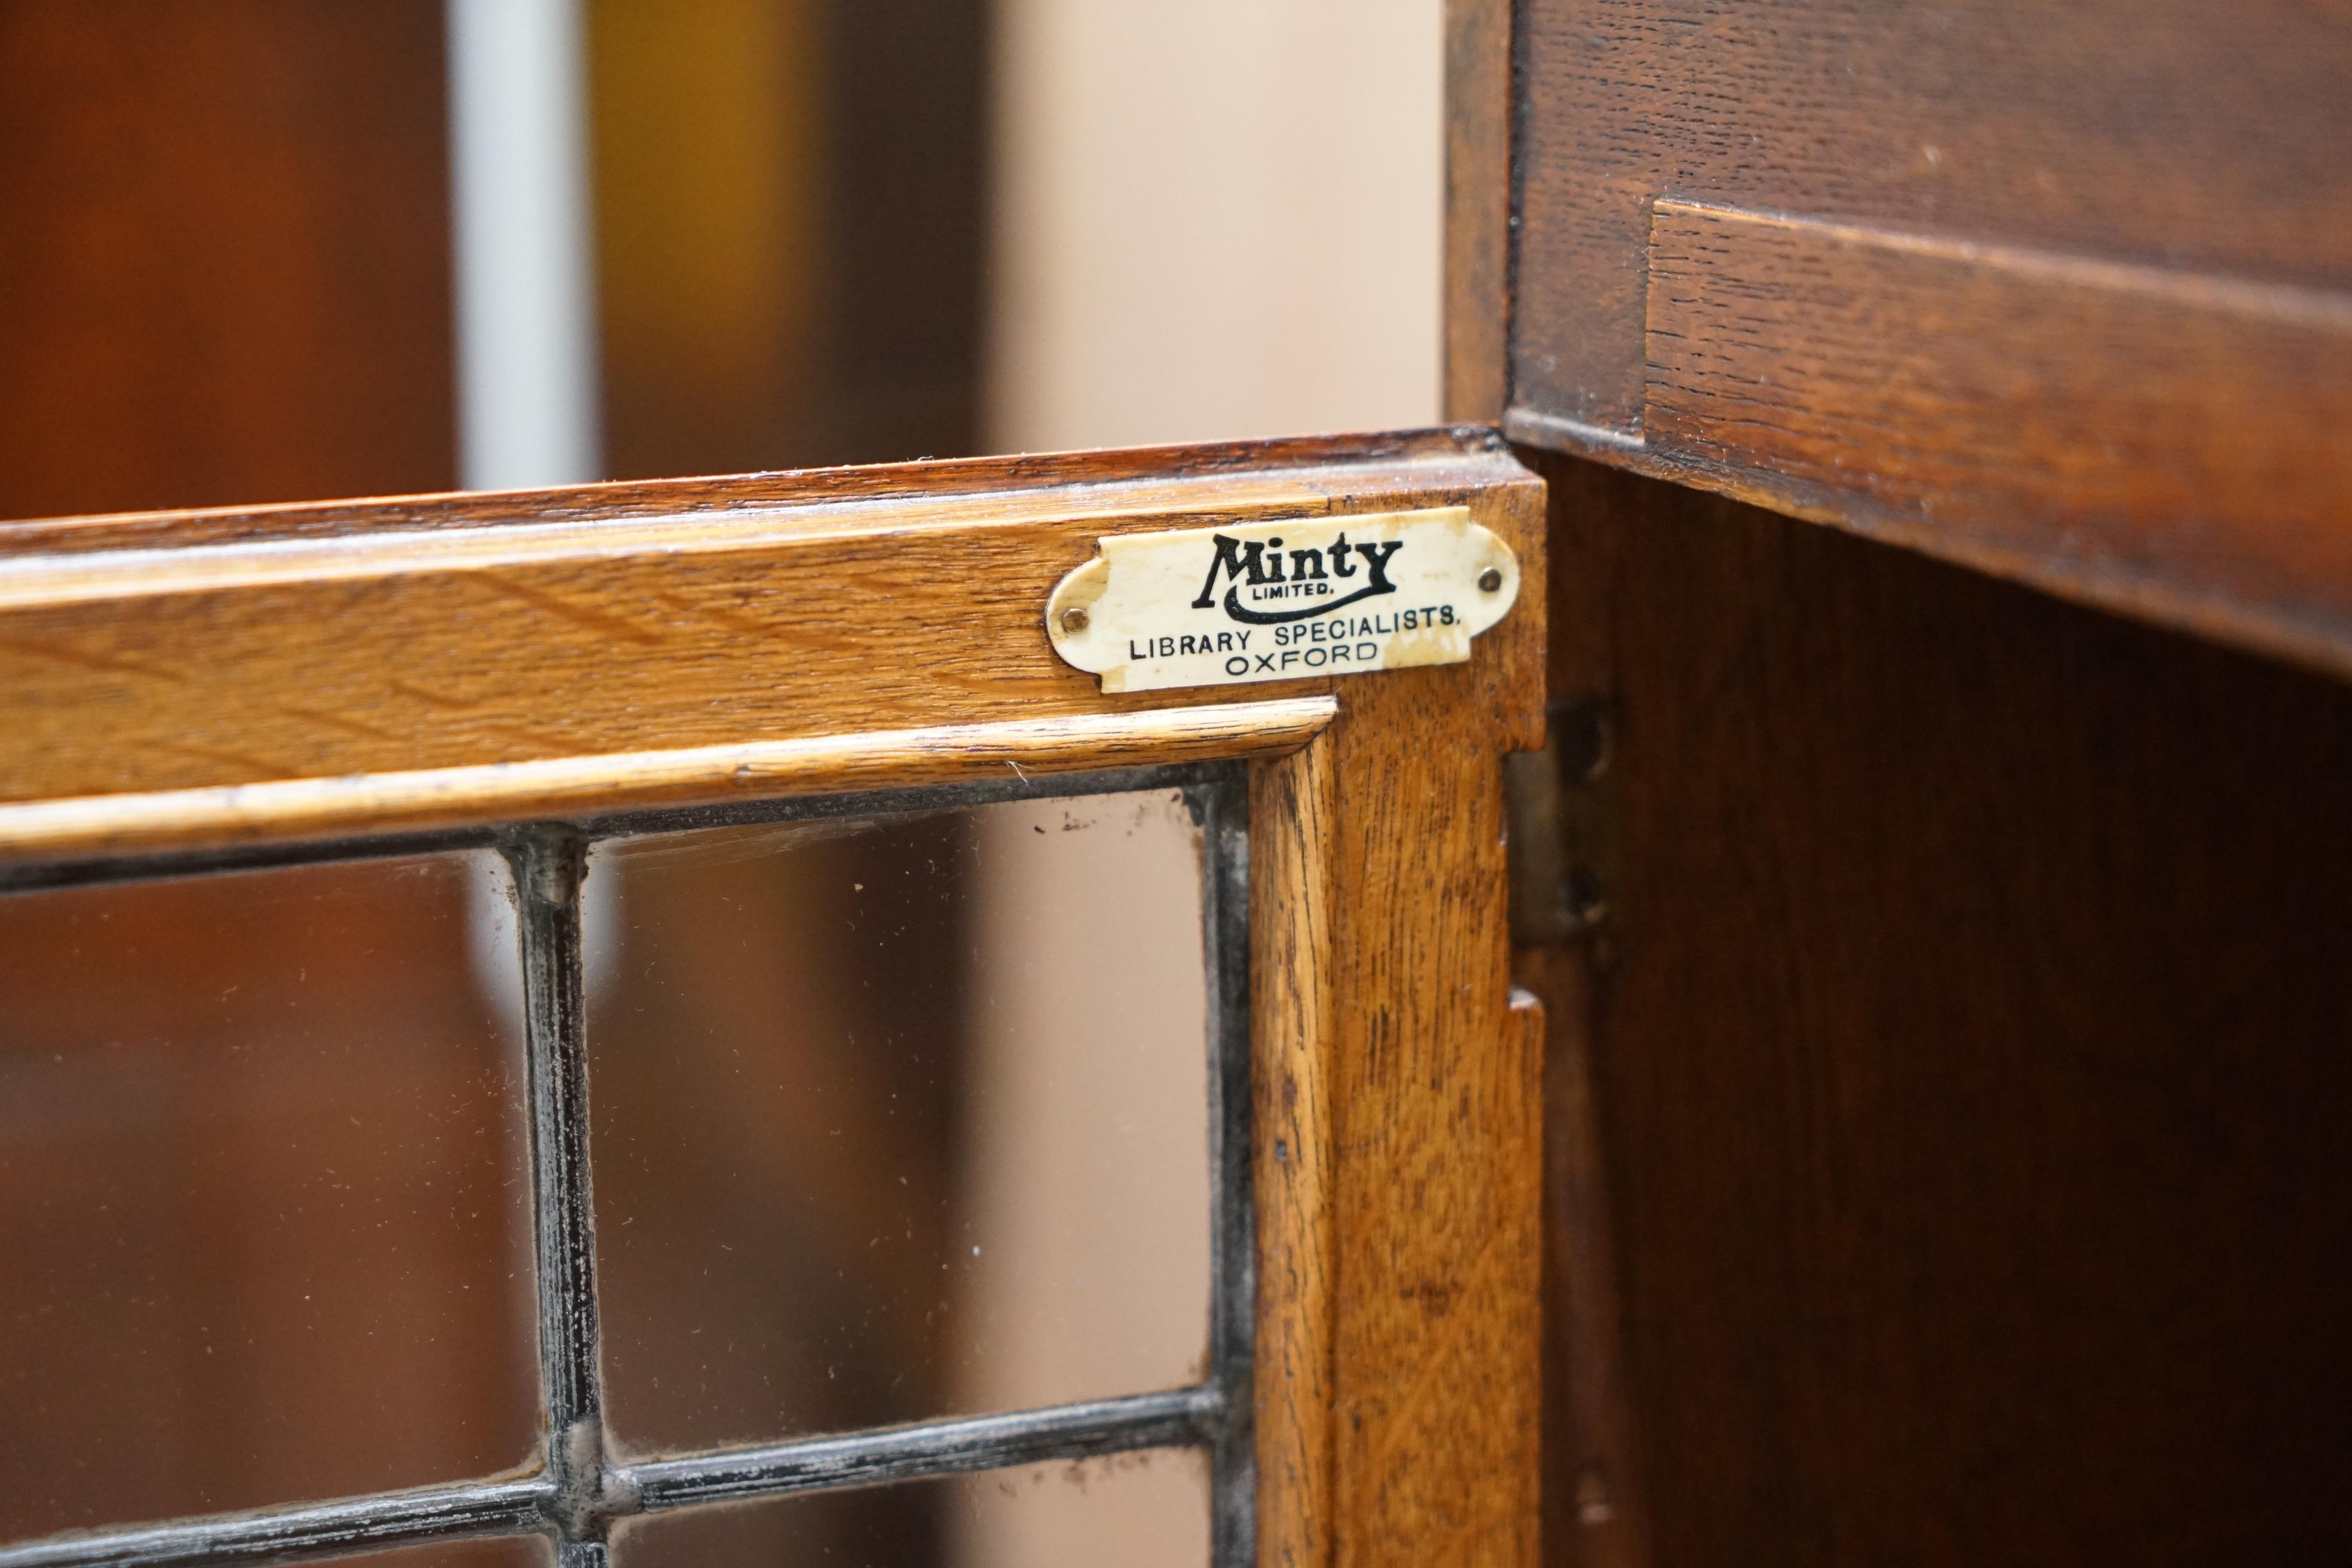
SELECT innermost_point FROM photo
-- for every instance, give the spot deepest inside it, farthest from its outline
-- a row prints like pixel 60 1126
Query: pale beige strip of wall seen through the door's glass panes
pixel 1088 1155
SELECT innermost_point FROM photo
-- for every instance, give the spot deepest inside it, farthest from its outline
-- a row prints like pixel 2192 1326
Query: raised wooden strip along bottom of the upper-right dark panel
pixel 2130 436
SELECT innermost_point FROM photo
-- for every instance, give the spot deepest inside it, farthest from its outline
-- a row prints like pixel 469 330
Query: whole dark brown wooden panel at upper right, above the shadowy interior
pixel 2059 293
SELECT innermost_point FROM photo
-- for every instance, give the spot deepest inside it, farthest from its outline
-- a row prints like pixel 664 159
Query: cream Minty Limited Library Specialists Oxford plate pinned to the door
pixel 1283 601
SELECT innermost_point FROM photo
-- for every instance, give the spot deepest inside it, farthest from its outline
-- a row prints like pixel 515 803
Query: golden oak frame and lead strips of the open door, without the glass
pixel 530 674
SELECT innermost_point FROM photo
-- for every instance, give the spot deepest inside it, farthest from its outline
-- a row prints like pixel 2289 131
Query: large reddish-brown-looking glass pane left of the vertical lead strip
pixel 267 1195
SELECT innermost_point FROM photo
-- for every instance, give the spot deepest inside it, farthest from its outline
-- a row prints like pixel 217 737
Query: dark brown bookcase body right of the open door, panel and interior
pixel 1944 1118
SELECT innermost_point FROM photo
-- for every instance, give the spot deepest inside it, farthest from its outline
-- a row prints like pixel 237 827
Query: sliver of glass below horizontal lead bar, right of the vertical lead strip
pixel 1137 1510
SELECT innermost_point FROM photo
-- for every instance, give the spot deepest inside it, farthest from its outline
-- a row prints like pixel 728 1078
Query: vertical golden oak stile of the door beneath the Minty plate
pixel 1401 1118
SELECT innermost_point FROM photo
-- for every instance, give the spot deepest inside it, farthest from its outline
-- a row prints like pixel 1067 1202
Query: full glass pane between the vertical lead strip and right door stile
pixel 900 1118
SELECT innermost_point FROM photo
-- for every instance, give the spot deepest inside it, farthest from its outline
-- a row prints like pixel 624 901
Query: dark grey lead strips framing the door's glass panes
pixel 580 1492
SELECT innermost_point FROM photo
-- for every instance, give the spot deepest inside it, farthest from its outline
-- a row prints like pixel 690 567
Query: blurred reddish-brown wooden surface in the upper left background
pixel 225 255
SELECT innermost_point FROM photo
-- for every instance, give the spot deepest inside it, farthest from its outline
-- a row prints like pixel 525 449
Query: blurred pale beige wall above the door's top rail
pixel 1215 220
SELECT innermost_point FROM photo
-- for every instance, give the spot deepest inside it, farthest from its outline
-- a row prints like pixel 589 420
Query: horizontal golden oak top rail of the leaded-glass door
pixel 606 622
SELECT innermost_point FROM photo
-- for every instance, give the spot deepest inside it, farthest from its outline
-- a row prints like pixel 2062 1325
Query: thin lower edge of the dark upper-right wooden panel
pixel 2174 603
